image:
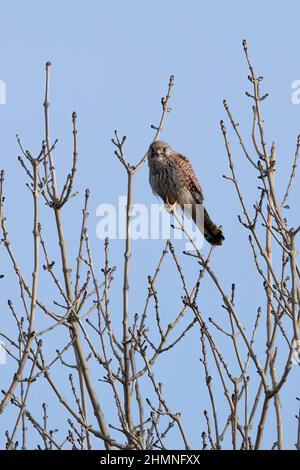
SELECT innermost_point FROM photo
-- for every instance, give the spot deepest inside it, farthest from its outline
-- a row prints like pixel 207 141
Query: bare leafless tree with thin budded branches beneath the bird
pixel 243 378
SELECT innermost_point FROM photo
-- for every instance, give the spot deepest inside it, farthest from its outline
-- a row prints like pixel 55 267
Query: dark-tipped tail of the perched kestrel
pixel 212 233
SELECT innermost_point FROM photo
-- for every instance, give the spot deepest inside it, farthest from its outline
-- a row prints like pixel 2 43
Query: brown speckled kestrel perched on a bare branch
pixel 172 177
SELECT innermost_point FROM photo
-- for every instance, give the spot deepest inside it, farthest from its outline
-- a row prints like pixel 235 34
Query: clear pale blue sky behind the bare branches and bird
pixel 111 63
